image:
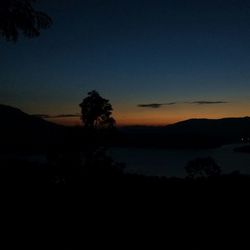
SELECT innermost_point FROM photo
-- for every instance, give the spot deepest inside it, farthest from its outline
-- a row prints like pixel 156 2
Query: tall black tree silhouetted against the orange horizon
pixel 96 112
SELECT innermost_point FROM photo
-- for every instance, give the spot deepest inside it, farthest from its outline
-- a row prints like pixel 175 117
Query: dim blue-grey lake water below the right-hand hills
pixel 165 162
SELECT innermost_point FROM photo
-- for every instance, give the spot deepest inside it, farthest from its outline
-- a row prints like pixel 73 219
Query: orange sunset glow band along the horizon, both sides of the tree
pixel 128 116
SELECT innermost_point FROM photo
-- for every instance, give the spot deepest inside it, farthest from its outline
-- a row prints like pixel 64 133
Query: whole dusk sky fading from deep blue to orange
pixel 157 61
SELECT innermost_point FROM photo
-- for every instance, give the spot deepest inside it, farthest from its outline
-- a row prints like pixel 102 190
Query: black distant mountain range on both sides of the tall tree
pixel 18 128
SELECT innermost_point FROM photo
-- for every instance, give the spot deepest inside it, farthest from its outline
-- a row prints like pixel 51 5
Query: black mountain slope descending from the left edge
pixel 20 131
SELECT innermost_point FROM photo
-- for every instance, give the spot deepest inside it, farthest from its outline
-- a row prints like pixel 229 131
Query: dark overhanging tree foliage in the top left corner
pixel 18 16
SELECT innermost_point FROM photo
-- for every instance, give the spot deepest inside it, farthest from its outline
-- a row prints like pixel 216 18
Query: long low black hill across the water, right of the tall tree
pixel 189 133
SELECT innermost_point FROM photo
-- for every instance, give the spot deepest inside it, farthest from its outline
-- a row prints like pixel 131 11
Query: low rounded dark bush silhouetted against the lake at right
pixel 202 167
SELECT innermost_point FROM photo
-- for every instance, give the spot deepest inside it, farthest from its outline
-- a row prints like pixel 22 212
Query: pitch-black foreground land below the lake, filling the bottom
pixel 74 208
